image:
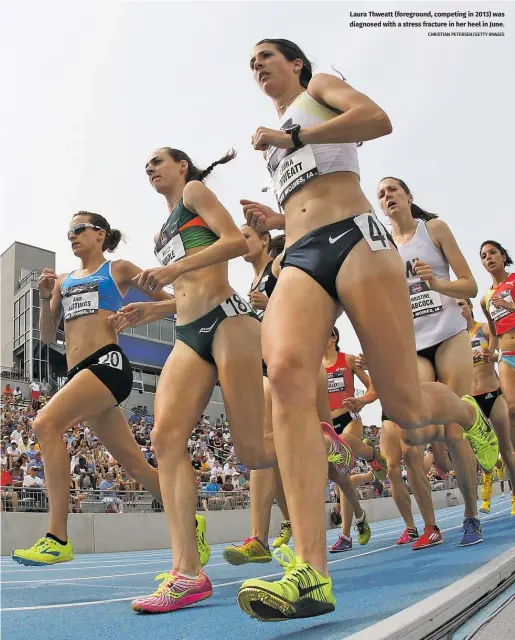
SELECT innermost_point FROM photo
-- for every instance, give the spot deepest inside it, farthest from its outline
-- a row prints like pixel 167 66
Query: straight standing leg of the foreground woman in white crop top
pixel 293 345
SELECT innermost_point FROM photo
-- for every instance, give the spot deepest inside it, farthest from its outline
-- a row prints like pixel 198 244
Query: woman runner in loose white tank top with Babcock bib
pixel 427 248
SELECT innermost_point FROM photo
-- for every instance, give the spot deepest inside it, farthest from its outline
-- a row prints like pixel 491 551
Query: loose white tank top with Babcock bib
pixel 436 317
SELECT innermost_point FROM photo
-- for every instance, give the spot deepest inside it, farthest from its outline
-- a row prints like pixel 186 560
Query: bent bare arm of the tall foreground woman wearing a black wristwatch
pixel 361 119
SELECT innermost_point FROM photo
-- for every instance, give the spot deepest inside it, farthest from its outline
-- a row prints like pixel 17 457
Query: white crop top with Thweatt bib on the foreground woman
pixel 290 169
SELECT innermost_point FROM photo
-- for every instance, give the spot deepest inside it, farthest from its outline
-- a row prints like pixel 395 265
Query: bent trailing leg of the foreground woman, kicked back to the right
pixel 372 287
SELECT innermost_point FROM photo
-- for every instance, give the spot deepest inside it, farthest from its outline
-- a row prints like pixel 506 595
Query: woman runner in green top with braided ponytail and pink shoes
pixel 217 338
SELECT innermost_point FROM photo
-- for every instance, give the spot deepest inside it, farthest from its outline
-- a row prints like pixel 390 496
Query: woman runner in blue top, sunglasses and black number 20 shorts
pixel 99 375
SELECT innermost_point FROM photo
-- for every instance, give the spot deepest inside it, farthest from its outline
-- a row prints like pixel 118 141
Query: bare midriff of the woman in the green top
pixel 200 291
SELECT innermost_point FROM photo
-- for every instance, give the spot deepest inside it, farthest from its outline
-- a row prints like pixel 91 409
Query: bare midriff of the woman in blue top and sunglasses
pixel 88 334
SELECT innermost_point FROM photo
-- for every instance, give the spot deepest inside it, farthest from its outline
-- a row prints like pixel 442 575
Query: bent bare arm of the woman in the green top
pixel 231 243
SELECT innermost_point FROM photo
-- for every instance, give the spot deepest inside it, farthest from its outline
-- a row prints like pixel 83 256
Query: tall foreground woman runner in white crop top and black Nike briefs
pixel 337 254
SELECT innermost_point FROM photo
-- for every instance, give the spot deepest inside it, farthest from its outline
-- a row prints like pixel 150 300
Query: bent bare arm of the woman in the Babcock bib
pixel 465 286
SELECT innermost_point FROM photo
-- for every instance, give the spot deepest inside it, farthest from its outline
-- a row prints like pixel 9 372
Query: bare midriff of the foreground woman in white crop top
pixel 322 201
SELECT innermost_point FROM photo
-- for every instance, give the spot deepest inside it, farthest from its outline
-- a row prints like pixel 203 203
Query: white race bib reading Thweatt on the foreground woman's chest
pixel 291 169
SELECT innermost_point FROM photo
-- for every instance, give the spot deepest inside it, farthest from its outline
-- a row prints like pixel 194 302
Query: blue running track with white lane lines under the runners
pixel 90 597
